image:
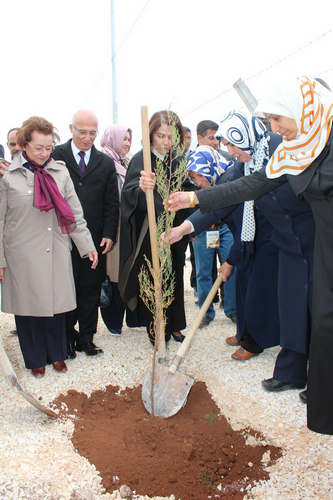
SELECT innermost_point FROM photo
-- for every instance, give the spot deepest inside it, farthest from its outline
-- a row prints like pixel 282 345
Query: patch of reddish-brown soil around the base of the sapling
pixel 195 454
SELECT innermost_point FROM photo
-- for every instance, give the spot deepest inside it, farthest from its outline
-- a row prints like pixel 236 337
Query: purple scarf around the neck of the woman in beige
pixel 48 196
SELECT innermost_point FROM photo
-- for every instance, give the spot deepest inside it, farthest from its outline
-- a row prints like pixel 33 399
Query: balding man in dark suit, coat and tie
pixel 95 181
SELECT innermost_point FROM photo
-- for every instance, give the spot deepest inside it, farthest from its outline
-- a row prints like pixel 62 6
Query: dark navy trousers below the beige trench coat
pixel 42 339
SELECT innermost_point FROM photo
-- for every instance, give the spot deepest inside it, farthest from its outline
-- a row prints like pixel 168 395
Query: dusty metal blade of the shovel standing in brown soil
pixel 169 392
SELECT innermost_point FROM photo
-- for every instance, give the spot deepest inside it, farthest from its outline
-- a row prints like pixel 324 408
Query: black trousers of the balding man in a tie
pixel 86 314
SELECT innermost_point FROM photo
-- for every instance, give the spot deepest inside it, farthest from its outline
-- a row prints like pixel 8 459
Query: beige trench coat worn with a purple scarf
pixel 34 252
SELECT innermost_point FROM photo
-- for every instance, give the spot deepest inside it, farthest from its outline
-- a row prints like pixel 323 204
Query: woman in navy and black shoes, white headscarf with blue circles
pixel 249 142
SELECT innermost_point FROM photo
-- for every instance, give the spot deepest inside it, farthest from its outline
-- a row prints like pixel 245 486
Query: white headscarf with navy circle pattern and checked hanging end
pixel 251 138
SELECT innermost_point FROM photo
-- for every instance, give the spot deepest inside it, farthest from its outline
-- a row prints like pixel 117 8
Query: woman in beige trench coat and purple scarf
pixel 38 210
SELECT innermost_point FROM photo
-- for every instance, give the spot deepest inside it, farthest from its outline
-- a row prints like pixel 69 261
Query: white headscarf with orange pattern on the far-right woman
pixel 311 106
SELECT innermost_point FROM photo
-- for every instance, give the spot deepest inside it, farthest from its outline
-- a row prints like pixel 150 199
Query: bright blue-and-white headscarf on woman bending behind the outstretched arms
pixel 207 162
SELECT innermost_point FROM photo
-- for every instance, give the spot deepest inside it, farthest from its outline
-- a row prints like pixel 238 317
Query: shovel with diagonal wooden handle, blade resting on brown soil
pixel 170 387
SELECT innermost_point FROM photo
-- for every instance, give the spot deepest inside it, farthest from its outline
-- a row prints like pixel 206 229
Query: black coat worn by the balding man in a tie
pixel 97 190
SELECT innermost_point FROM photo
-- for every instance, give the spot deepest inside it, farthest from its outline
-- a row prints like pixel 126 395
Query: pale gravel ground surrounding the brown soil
pixel 38 460
